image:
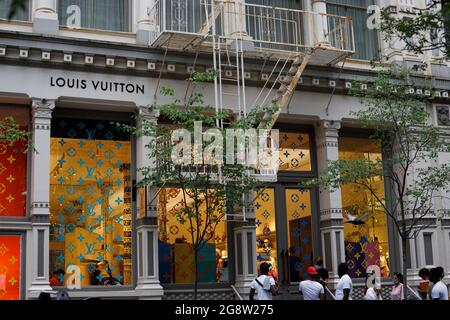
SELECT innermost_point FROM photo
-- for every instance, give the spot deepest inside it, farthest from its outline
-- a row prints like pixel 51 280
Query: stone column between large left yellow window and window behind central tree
pixel 148 285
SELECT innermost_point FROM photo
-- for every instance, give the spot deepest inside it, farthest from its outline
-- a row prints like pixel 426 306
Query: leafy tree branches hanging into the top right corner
pixel 427 30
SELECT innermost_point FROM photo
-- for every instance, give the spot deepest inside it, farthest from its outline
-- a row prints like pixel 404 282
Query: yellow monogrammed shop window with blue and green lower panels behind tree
pixel 176 254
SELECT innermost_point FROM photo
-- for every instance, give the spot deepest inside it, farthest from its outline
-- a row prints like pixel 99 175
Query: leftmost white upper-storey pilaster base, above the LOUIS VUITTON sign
pixel 45 17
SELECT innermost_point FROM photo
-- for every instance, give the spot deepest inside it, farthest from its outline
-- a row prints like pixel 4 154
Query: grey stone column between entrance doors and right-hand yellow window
pixel 331 226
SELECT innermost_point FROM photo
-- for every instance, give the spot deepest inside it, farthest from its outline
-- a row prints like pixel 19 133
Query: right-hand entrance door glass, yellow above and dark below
pixel 298 214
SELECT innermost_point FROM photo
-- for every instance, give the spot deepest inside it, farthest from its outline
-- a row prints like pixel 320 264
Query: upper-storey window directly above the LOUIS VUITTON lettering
pixel 111 15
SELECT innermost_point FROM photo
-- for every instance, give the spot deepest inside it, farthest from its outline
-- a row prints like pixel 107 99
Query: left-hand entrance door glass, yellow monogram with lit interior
pixel 266 232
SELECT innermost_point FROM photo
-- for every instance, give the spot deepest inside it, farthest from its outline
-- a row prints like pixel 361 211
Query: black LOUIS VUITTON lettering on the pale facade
pixel 97 85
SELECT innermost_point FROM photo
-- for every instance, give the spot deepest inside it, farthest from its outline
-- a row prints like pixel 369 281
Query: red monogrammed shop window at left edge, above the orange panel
pixel 13 166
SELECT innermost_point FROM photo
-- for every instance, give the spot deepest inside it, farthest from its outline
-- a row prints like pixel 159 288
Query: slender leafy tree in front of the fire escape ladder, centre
pixel 211 188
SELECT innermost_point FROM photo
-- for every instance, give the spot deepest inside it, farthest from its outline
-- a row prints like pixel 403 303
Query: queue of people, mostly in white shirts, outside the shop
pixel 314 286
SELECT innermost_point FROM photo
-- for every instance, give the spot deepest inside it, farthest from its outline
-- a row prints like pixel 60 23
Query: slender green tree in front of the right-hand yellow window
pixel 398 118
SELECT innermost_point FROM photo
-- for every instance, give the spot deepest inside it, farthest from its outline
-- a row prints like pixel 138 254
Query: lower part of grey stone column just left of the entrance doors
pixel 245 252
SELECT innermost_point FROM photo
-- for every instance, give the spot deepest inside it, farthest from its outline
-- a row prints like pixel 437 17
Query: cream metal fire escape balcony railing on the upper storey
pixel 189 24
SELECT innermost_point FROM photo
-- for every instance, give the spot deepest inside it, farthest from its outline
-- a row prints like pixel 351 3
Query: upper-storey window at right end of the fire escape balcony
pixel 365 38
